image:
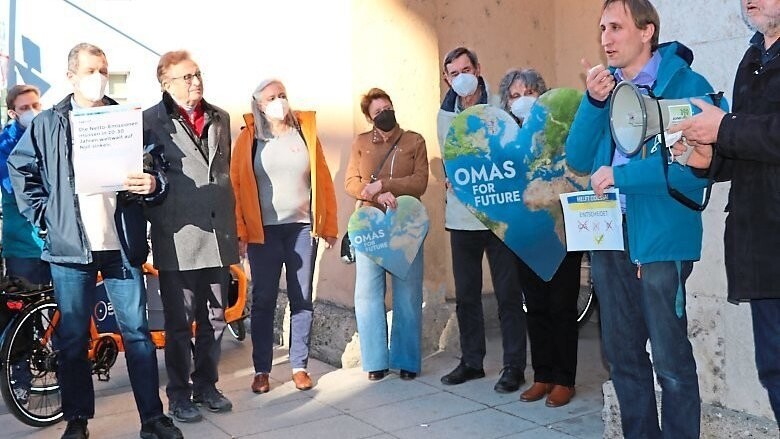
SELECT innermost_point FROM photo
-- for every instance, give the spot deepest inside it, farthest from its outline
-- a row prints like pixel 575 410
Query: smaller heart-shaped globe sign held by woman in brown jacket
pixel 391 239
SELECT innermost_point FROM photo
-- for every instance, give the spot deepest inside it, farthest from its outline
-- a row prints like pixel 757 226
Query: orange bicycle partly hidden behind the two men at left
pixel 28 351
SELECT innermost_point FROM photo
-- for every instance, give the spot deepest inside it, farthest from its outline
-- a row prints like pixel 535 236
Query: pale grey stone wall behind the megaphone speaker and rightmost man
pixel 721 332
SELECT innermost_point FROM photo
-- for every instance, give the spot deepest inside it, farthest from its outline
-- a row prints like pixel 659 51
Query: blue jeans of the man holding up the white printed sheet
pixel 75 296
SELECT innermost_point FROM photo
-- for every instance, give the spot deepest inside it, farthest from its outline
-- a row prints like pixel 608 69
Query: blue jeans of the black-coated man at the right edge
pixel 766 335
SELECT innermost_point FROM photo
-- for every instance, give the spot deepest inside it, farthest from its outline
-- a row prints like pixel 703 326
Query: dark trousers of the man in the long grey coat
pixel 193 296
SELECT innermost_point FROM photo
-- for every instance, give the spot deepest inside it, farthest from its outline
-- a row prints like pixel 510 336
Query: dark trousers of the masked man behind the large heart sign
pixel 467 250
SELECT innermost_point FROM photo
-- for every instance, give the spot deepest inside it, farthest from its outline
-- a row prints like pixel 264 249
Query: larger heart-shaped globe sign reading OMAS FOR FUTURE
pixel 510 177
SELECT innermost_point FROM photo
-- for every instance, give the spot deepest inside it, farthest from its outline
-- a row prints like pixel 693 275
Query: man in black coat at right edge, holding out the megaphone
pixel 744 147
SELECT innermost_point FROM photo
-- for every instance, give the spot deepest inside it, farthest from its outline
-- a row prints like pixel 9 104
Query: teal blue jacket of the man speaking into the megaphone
pixel 659 227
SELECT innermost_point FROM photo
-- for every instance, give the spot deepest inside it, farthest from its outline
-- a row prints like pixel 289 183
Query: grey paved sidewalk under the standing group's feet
pixel 344 404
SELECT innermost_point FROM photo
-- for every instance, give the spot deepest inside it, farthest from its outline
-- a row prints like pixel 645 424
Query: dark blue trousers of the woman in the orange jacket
pixel 292 246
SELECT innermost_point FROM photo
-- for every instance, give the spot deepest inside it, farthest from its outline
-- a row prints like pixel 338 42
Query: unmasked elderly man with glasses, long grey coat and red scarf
pixel 193 233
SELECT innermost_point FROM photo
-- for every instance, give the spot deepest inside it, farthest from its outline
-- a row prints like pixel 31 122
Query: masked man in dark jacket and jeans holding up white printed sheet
pixel 87 233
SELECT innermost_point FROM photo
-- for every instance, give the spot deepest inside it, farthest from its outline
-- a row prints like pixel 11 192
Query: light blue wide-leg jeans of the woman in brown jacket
pixel 370 286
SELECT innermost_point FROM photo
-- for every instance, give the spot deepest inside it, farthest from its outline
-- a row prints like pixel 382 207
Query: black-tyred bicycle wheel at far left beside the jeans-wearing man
pixel 29 363
